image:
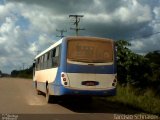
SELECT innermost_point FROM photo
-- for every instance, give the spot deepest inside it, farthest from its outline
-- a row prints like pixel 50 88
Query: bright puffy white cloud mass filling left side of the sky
pixel 19 45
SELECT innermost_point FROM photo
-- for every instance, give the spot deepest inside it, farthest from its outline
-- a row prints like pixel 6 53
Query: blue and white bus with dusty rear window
pixel 76 66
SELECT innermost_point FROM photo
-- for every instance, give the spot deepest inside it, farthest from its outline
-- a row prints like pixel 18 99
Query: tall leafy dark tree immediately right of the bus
pixel 132 69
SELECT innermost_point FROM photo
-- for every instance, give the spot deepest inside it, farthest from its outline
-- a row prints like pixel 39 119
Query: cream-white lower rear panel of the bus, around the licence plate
pixel 104 81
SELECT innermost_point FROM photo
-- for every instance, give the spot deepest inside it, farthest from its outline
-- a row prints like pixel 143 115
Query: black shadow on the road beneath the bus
pixel 96 106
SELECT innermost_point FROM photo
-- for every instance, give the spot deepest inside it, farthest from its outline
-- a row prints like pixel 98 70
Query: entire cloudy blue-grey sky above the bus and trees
pixel 29 26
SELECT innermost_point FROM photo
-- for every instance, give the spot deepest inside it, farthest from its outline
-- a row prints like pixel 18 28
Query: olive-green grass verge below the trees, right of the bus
pixel 145 100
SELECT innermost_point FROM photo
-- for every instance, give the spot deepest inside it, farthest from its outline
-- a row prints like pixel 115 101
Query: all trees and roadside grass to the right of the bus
pixel 138 79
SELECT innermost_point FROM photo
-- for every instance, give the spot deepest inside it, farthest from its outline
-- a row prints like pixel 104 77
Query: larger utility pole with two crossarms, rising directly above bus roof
pixel 76 22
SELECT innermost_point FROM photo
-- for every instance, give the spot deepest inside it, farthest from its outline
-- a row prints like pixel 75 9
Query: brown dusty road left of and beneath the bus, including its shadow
pixel 18 97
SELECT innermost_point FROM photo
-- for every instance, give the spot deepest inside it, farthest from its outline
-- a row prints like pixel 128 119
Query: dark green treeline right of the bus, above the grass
pixel 140 71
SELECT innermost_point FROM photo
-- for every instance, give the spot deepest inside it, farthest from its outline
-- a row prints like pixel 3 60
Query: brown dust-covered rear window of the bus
pixel 90 51
